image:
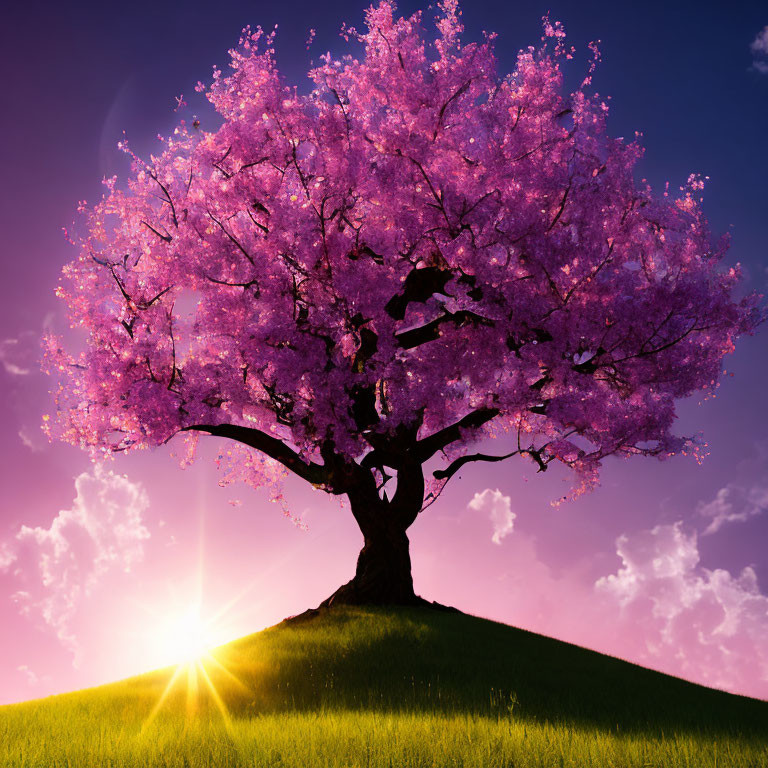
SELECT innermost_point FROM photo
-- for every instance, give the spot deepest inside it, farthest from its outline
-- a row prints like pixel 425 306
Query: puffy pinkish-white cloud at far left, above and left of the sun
pixel 62 564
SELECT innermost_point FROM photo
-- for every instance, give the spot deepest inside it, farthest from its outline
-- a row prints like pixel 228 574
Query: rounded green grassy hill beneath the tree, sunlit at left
pixel 405 687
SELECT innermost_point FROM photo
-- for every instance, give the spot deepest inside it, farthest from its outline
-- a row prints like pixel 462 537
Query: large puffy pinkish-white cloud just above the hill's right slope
pixel 707 625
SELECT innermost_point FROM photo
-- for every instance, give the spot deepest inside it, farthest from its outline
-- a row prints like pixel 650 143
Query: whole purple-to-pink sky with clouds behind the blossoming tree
pixel 664 564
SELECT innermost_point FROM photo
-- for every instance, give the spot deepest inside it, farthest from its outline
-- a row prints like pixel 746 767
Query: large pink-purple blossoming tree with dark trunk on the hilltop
pixel 412 258
